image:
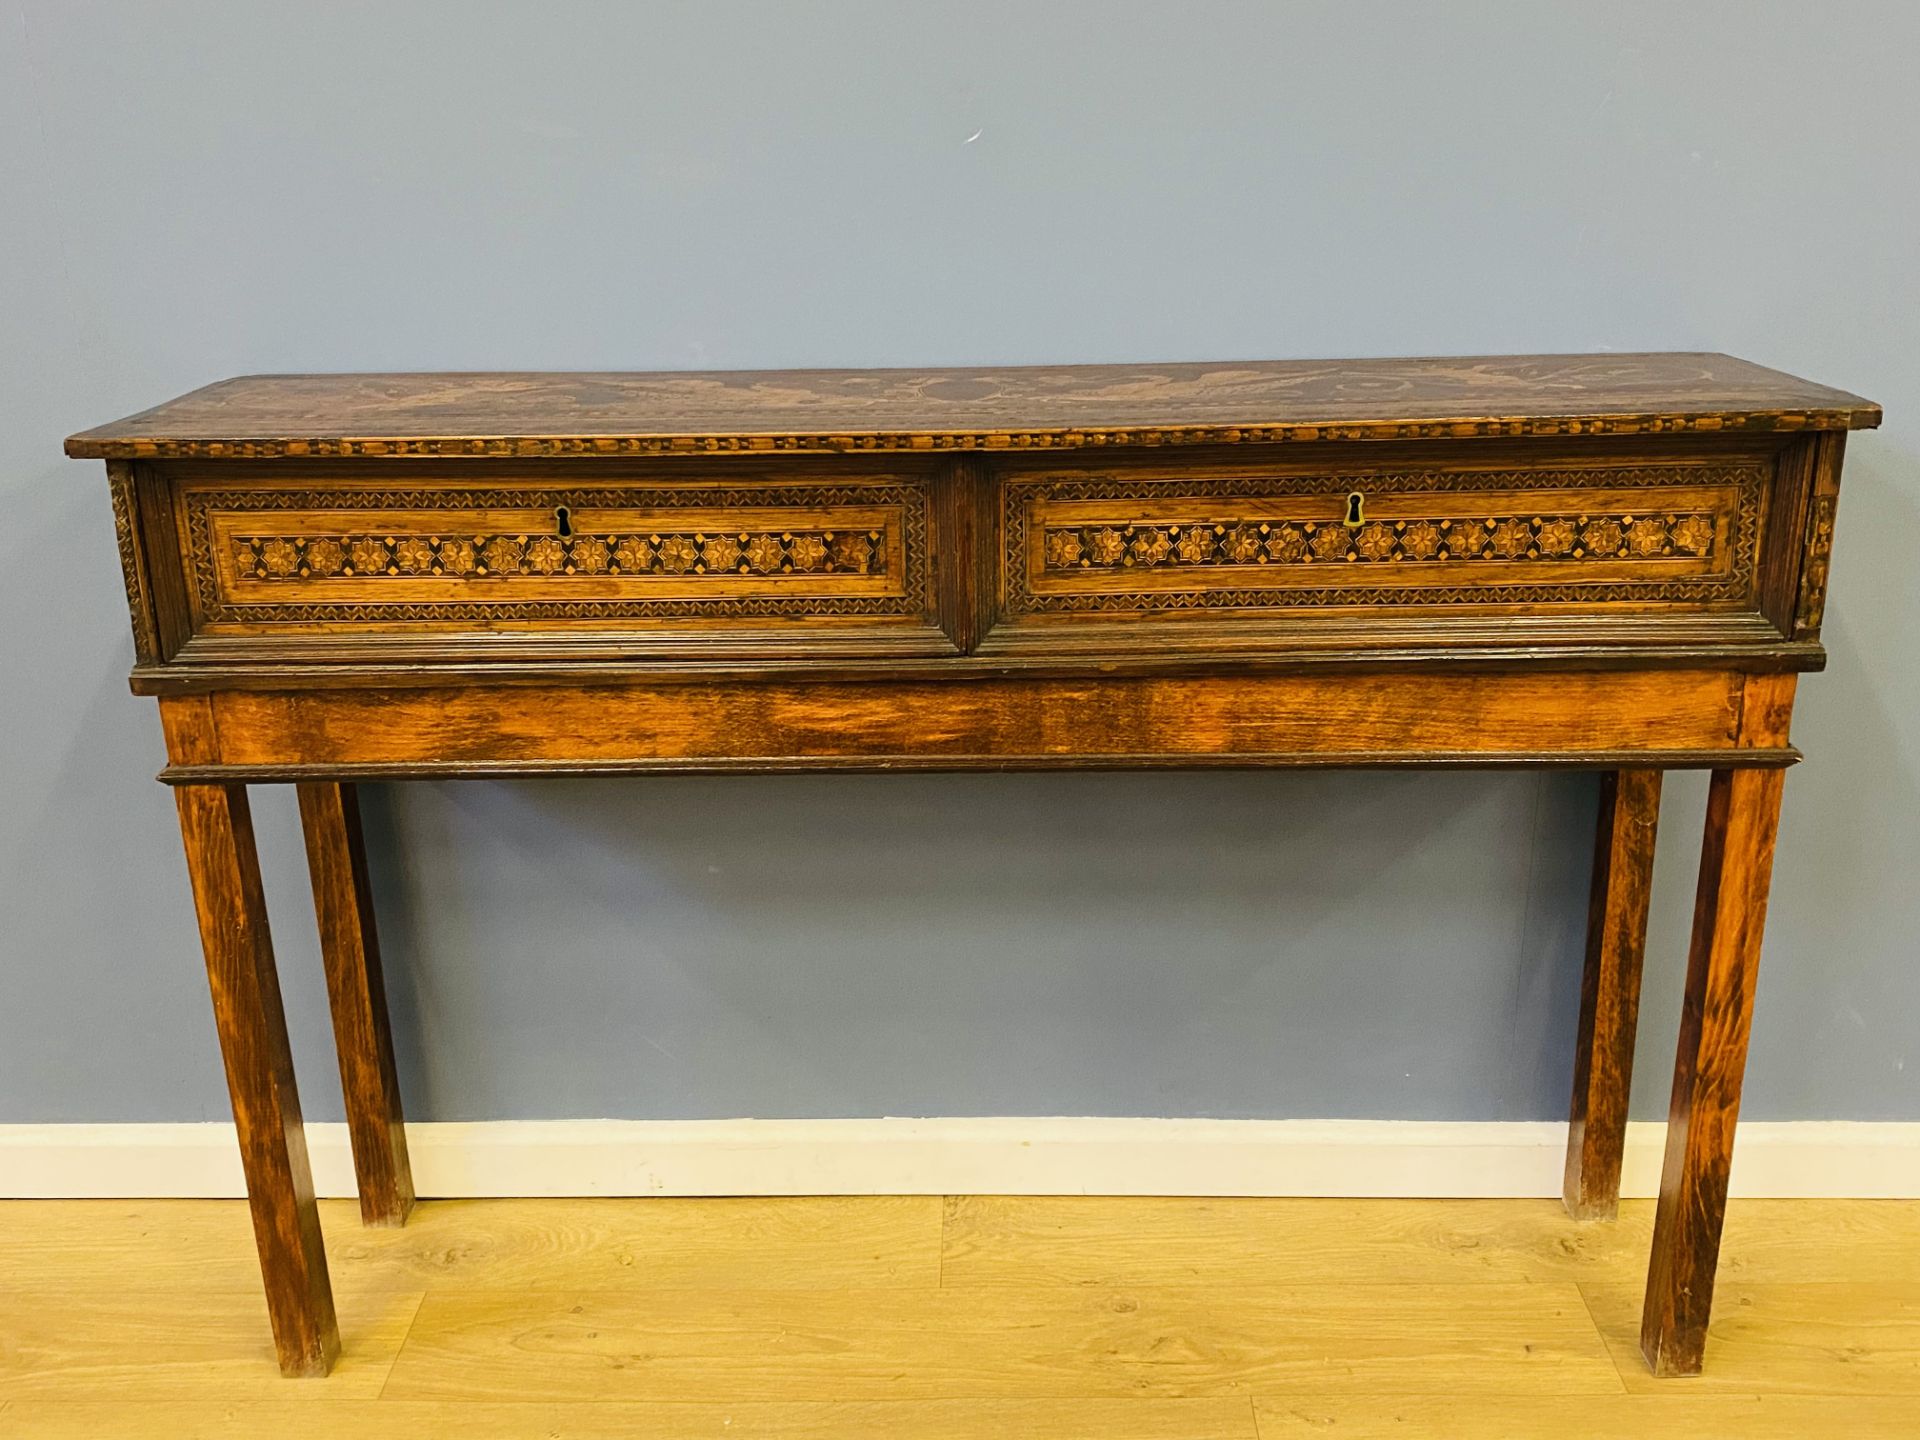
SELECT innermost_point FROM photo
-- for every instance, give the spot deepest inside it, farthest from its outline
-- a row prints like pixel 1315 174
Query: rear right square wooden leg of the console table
pixel 1610 992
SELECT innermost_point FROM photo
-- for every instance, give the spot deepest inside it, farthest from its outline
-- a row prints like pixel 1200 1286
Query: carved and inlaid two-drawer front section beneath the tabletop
pixel 1639 550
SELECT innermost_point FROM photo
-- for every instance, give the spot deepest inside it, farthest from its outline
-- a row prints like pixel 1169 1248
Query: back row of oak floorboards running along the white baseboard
pixel 867 1243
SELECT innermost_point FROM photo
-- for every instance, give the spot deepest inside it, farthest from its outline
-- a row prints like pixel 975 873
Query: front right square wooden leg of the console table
pixel 1716 1020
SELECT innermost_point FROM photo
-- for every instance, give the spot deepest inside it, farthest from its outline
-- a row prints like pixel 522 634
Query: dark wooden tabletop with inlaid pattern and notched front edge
pixel 988 408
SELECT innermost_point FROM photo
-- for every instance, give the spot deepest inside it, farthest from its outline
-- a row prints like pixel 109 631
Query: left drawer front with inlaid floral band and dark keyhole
pixel 483 556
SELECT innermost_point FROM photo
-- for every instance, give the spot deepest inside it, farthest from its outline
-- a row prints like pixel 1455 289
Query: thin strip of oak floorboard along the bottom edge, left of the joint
pixel 423 1420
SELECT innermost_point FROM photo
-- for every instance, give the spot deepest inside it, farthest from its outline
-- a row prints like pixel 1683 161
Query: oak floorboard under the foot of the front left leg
pixel 189 1343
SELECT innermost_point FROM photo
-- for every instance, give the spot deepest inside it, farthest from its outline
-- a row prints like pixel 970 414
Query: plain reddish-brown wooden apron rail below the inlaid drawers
pixel 1355 719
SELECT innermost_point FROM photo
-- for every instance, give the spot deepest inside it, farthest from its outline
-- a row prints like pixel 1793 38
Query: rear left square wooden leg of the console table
pixel 343 900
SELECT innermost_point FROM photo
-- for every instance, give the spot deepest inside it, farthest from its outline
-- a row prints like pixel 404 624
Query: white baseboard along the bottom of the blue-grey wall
pixel 959 1157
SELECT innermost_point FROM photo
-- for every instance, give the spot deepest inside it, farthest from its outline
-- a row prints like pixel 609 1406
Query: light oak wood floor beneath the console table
pixel 909 1318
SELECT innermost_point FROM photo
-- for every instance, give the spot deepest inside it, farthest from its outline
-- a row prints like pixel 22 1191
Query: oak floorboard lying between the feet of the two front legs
pixel 1045 1343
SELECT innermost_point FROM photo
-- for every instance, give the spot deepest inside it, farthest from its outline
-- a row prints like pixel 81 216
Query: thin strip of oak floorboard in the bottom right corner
pixel 1593 1418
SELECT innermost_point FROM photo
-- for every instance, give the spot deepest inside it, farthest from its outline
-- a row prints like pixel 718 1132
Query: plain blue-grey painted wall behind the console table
pixel 197 191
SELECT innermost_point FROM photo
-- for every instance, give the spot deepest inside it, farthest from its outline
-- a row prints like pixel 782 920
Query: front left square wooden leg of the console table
pixel 260 1072
